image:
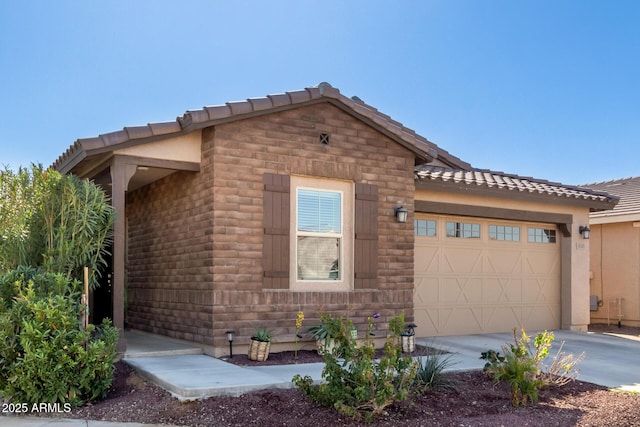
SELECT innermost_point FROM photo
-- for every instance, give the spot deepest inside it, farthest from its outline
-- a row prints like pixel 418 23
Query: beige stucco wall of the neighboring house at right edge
pixel 615 271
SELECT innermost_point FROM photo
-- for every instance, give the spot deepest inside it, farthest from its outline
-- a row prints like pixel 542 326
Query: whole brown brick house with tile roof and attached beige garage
pixel 240 215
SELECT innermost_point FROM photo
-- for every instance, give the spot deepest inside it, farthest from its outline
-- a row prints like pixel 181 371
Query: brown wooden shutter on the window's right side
pixel 366 237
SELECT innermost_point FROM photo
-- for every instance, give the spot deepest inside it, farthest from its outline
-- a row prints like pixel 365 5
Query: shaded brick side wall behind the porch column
pixel 169 261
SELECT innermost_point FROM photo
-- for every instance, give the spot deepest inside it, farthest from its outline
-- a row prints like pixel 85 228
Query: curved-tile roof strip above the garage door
pixel 508 182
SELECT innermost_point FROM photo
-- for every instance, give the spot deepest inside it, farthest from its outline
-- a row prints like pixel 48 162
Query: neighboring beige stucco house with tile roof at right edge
pixel 615 255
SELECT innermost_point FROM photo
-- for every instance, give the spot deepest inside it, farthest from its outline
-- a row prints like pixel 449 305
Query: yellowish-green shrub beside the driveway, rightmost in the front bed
pixel 522 367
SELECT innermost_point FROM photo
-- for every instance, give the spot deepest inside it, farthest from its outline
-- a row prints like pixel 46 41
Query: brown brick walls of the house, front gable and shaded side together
pixel 195 240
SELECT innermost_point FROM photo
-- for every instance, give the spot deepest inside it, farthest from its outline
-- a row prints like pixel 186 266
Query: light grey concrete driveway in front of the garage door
pixel 610 360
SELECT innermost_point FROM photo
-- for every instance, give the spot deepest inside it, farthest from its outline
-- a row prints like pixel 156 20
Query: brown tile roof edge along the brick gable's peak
pixel 210 116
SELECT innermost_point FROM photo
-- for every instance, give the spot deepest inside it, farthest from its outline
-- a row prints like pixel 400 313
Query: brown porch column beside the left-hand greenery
pixel 121 173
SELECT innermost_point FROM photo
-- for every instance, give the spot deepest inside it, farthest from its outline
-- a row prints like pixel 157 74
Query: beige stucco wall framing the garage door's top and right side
pixel 574 250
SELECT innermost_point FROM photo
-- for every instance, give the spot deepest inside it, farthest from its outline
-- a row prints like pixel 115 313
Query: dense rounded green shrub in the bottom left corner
pixel 46 357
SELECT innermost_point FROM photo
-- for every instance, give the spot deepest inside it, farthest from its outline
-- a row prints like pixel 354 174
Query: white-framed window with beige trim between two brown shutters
pixel 322 254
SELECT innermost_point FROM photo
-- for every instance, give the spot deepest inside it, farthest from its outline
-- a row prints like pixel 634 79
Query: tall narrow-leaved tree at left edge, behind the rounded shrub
pixel 60 223
